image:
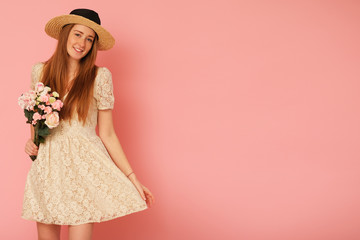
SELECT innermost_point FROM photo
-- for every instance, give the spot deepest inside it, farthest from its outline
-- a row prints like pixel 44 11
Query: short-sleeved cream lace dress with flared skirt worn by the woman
pixel 74 180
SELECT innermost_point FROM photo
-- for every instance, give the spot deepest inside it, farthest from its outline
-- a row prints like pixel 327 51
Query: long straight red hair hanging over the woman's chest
pixel 81 90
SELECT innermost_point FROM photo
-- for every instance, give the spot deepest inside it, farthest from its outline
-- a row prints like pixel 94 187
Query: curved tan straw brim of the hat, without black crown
pixel 54 26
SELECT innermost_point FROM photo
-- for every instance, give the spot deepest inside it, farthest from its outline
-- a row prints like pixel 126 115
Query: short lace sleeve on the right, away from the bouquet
pixel 104 89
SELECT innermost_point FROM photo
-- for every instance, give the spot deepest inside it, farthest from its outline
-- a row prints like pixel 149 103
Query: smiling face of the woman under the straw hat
pixel 80 41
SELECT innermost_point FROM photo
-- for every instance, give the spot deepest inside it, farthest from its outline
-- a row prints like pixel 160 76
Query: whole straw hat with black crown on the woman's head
pixel 85 17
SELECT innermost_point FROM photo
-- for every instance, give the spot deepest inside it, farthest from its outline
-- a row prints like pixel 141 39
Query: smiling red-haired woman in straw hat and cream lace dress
pixel 79 178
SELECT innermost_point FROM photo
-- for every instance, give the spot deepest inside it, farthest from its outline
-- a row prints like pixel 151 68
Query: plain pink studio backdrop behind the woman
pixel 242 117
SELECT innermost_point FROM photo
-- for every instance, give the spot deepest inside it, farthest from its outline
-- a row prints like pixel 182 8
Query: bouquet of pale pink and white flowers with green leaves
pixel 41 108
